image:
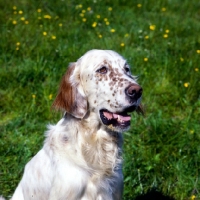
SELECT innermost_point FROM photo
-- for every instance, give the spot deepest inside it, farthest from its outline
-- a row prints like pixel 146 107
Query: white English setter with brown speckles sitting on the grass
pixel 82 155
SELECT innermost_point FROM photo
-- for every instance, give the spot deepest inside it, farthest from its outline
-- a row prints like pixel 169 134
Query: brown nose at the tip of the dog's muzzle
pixel 134 91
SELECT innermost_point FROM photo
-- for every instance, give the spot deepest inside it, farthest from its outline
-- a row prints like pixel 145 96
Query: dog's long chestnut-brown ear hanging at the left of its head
pixel 71 97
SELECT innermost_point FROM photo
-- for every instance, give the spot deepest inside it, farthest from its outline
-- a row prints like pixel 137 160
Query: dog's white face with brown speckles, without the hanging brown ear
pixel 109 86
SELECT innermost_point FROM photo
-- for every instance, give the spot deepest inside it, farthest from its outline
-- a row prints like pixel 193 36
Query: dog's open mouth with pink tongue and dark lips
pixel 121 120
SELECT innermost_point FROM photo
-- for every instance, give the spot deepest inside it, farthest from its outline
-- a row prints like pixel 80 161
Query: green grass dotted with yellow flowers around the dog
pixel 160 40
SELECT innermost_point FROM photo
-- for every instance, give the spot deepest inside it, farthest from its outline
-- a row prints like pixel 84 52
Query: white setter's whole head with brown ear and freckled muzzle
pixel 100 82
